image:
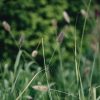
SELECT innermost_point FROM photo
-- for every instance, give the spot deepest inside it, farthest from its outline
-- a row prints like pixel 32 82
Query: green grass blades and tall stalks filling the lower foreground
pixel 17 84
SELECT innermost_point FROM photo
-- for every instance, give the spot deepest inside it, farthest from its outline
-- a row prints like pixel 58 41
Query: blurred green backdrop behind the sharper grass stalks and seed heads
pixel 32 20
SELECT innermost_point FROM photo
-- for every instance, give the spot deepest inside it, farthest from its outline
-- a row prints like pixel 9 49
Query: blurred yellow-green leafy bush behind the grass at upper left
pixel 33 19
